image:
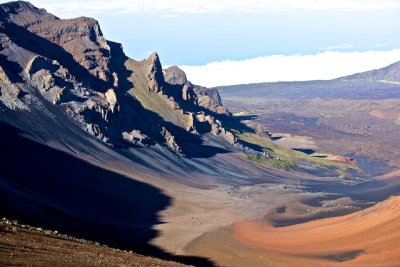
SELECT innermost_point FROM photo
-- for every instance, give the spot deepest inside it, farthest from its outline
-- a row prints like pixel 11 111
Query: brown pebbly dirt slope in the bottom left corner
pixel 22 245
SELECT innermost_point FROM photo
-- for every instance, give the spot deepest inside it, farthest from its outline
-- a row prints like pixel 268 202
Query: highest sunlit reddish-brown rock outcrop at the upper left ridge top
pixel 80 37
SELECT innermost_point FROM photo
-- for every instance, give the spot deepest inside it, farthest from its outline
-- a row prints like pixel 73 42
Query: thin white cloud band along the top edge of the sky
pixel 65 8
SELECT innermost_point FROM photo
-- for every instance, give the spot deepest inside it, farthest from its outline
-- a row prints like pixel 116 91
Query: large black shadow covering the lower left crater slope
pixel 49 188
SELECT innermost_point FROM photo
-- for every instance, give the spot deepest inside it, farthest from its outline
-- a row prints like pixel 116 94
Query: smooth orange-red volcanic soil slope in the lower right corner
pixel 365 238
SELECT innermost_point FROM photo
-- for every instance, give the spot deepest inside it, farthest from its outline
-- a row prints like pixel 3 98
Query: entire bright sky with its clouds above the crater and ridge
pixel 223 42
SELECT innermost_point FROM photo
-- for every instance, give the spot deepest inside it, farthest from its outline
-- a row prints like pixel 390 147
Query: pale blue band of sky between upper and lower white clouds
pixel 196 39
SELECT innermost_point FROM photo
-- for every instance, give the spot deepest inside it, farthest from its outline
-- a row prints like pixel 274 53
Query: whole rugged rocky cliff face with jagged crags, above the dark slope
pixel 70 64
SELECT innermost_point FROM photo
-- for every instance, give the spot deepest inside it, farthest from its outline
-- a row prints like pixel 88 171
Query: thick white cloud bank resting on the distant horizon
pixel 321 66
